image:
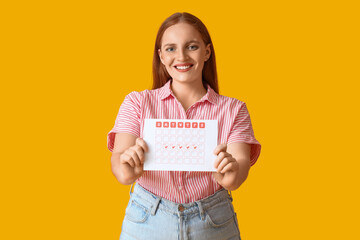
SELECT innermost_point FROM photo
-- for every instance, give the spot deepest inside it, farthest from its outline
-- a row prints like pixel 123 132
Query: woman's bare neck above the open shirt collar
pixel 188 93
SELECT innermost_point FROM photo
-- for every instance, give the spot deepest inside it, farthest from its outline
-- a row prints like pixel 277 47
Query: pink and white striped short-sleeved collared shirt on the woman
pixel 234 125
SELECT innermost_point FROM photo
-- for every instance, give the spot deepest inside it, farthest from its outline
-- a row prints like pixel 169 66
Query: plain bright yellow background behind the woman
pixel 66 66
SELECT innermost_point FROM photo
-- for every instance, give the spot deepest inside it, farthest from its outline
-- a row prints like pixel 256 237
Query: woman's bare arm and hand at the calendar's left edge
pixel 127 160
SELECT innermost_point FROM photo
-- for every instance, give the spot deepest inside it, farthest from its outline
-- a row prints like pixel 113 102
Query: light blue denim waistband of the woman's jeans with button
pixel 181 208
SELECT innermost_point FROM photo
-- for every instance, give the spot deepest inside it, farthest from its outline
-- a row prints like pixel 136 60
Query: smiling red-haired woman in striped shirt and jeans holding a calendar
pixel 177 204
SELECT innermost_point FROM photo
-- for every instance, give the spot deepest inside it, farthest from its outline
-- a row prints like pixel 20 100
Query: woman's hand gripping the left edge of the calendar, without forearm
pixel 134 156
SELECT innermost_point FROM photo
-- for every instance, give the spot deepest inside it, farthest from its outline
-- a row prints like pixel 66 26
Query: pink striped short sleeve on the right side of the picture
pixel 242 131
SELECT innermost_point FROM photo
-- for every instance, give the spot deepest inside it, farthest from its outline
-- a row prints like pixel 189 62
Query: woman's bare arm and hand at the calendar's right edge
pixel 232 164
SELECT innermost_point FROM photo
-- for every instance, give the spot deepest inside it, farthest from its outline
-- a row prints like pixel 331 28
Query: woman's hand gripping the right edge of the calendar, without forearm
pixel 226 165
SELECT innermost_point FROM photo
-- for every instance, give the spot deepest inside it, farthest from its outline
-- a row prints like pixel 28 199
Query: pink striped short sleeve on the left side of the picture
pixel 127 119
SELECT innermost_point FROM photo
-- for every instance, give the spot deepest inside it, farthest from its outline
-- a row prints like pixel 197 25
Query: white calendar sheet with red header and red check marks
pixel 180 145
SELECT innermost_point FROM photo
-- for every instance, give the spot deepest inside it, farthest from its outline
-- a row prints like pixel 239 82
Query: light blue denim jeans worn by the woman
pixel 150 217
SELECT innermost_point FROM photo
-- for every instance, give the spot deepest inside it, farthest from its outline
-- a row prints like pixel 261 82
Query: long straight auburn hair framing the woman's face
pixel 209 73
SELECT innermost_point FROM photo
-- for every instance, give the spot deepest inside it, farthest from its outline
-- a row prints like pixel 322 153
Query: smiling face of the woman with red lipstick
pixel 183 52
